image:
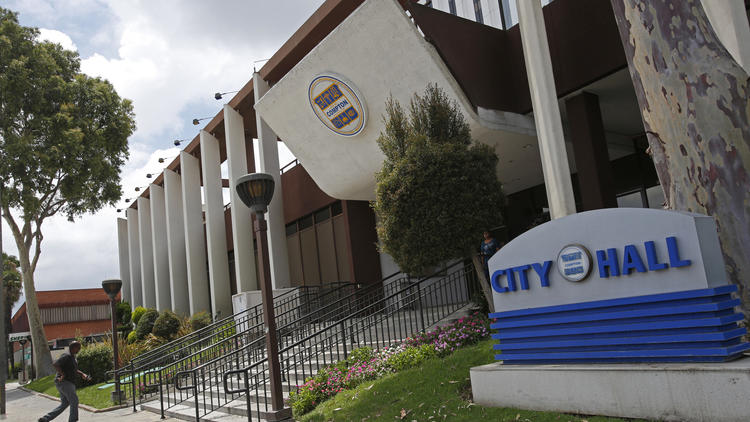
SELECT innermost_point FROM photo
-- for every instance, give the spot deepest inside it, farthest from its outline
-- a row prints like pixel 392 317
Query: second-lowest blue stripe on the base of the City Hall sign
pixel 630 340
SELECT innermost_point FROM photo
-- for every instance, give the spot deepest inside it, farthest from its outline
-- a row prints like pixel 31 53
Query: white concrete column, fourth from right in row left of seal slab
pixel 195 246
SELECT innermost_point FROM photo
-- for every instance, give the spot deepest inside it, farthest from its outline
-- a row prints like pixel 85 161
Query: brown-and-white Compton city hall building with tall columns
pixel 323 94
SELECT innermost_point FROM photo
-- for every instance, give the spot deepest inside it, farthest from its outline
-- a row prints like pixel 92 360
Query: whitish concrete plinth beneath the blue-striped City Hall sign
pixel 695 392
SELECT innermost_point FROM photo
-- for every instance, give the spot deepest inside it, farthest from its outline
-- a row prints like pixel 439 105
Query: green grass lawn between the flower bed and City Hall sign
pixel 438 390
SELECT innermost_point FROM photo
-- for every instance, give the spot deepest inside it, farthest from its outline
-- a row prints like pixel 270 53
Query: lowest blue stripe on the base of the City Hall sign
pixel 615 354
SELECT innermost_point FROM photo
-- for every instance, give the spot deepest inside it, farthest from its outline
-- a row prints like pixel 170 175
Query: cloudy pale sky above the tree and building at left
pixel 169 57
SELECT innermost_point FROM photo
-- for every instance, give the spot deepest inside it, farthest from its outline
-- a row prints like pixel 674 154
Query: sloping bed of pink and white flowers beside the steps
pixel 365 364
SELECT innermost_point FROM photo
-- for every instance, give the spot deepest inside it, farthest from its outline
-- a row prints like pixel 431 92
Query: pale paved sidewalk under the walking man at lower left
pixel 22 406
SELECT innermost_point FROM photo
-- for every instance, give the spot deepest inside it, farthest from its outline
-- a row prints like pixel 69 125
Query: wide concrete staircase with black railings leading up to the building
pixel 230 382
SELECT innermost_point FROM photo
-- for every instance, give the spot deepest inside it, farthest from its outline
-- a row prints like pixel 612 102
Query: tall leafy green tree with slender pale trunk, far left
pixel 63 141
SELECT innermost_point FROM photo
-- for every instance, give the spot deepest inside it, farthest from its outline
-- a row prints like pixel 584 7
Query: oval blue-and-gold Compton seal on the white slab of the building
pixel 337 103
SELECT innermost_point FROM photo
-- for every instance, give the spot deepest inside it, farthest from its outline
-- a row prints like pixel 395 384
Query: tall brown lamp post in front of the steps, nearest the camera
pixel 256 190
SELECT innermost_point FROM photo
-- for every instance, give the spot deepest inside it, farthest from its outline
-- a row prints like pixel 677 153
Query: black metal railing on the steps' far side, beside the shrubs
pixel 146 374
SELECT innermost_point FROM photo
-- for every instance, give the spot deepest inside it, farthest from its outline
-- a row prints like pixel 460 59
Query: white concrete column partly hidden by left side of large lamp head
pixel 242 225
